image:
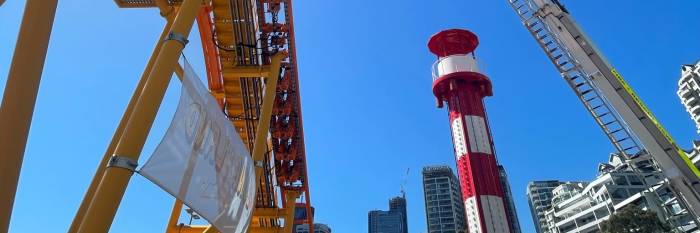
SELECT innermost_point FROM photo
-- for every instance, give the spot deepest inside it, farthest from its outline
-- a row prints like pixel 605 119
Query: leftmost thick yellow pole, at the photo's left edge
pixel 19 98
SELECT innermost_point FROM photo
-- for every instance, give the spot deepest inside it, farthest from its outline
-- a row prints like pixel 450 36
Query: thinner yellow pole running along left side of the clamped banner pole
pixel 89 194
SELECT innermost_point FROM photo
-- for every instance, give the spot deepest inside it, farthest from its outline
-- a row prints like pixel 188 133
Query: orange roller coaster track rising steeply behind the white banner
pixel 240 33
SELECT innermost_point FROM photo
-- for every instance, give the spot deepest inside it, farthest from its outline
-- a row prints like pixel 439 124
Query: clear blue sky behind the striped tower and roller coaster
pixel 369 113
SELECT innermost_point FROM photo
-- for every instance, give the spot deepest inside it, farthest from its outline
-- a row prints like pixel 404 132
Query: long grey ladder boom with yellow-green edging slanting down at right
pixel 620 113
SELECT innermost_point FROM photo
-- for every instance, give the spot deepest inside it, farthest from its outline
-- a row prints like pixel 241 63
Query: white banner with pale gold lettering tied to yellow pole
pixel 202 161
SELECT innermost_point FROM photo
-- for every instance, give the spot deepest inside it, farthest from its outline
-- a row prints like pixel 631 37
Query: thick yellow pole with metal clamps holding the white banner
pixel 110 191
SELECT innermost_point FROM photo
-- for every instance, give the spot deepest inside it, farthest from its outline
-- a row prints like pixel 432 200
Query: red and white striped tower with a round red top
pixel 456 80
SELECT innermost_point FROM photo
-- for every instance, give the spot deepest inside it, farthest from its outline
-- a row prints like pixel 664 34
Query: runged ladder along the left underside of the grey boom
pixel 581 82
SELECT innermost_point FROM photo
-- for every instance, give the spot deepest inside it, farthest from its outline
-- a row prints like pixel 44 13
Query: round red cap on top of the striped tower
pixel 453 41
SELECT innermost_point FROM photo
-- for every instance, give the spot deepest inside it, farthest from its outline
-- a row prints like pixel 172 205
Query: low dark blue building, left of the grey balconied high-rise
pixel 392 221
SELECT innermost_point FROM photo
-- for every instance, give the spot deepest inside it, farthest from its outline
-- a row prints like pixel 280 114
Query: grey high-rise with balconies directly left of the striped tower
pixel 444 208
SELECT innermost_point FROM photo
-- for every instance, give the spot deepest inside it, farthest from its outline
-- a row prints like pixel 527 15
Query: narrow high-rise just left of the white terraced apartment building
pixel 539 197
